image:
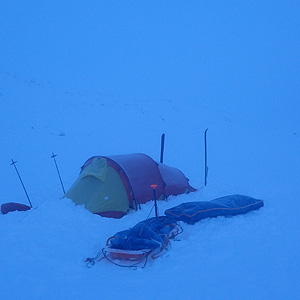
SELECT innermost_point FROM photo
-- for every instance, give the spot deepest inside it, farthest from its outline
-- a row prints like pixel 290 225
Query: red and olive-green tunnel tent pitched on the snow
pixel 111 185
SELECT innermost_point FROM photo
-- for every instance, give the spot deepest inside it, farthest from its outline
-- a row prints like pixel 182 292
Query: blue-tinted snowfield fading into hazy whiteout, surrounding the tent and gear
pixel 110 78
